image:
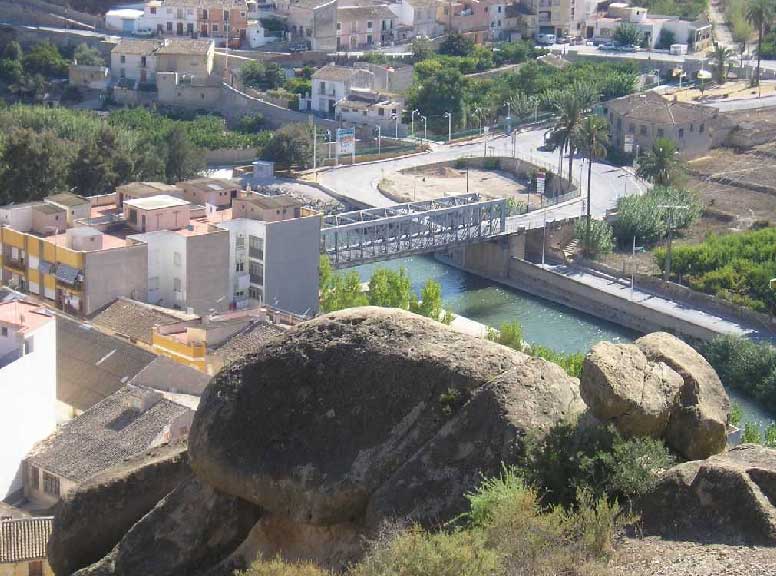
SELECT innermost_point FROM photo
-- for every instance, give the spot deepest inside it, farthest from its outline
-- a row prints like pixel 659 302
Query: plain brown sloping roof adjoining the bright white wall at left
pixel 92 365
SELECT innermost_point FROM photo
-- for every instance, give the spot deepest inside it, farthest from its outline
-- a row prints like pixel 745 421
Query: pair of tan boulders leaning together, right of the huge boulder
pixel 658 386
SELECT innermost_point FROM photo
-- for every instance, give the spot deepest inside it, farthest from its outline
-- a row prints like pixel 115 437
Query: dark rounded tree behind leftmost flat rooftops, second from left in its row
pixel 100 166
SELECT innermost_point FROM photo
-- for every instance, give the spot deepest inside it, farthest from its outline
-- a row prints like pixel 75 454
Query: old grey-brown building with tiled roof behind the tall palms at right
pixel 636 121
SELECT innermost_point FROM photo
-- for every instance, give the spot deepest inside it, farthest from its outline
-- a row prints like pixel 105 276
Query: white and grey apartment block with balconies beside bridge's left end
pixel 275 263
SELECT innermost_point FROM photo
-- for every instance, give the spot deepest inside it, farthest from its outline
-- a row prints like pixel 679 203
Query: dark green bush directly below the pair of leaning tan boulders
pixel 573 457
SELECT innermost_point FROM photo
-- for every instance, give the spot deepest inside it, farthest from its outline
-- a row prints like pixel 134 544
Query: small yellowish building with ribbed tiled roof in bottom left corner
pixel 23 544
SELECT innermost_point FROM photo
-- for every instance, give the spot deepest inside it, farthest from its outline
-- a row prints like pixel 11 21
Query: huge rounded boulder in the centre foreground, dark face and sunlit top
pixel 369 414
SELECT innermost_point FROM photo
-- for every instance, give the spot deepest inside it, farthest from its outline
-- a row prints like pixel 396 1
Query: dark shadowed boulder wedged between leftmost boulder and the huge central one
pixel 189 533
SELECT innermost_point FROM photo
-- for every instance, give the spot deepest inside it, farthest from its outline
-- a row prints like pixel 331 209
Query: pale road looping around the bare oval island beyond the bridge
pixel 359 182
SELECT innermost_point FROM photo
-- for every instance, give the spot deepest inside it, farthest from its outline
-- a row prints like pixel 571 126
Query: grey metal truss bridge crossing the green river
pixel 374 234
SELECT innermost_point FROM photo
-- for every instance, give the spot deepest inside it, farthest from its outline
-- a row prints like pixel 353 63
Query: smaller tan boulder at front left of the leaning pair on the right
pixel 621 386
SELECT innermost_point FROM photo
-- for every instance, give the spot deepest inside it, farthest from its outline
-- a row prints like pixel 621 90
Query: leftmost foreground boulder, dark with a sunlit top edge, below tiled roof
pixel 91 520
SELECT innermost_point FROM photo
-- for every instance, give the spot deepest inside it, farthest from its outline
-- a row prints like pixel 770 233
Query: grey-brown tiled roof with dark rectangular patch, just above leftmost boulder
pixel 126 423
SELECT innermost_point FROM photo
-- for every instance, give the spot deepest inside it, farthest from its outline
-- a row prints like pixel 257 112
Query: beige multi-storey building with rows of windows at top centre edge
pixel 362 27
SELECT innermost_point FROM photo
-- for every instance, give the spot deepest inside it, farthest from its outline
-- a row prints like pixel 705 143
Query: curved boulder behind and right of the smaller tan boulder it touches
pixel 698 422
